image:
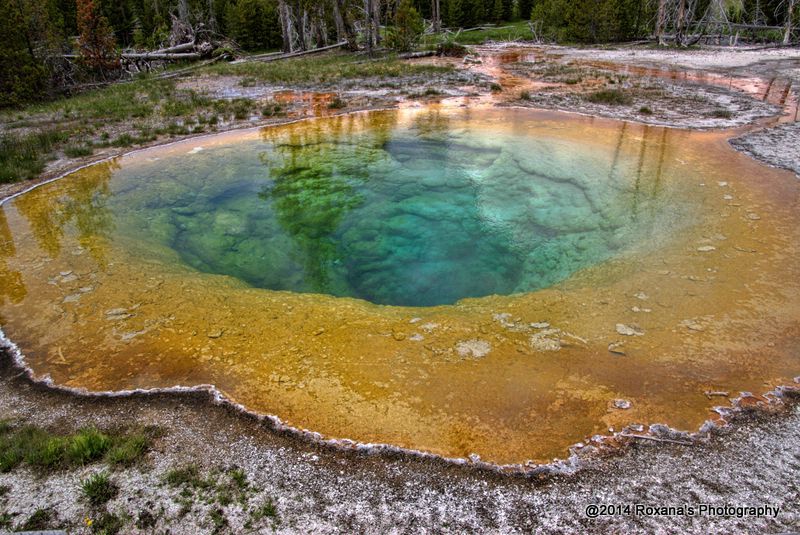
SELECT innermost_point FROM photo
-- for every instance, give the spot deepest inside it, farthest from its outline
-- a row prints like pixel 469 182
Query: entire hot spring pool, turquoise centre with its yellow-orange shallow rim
pixel 441 279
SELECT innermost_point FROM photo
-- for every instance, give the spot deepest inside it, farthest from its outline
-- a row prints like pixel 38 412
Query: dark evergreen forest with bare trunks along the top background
pixel 51 46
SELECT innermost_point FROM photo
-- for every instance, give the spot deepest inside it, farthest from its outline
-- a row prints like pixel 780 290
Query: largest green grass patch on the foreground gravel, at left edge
pixel 44 450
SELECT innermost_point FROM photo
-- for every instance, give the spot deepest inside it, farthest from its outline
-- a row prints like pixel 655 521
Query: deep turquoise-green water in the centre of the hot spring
pixel 420 211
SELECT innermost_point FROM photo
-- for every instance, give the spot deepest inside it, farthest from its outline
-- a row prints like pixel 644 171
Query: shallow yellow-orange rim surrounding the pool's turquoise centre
pixel 715 307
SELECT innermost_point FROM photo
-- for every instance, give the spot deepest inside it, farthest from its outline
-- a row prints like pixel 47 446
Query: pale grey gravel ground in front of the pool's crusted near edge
pixel 754 462
